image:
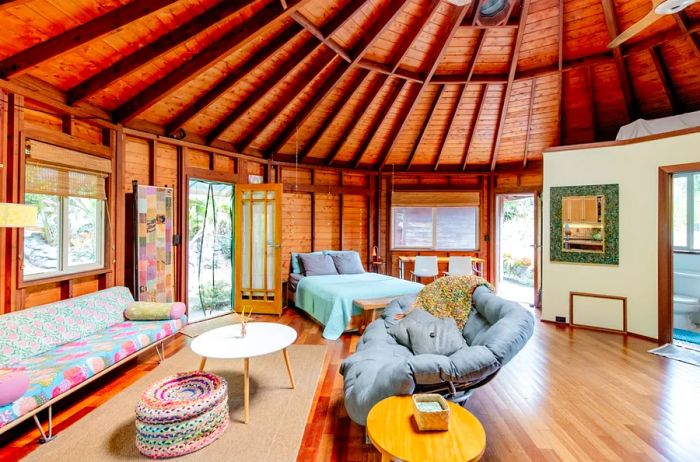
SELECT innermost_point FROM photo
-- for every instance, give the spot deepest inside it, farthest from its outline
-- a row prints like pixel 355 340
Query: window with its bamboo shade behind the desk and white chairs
pixel 435 220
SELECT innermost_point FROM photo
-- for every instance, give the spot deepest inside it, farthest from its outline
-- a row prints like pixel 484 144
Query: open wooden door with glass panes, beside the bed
pixel 258 255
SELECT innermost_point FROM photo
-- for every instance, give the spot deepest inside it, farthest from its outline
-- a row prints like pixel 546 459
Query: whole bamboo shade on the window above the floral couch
pixel 59 171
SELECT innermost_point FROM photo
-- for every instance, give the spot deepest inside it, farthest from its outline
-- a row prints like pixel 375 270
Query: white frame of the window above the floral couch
pixel 64 250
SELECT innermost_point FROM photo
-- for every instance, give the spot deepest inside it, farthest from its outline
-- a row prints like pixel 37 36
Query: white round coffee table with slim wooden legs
pixel 261 338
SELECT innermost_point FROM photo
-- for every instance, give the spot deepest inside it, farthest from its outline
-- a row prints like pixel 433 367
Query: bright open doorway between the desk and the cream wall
pixel 515 247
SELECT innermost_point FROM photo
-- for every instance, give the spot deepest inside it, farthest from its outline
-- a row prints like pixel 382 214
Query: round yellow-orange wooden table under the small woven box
pixel 393 431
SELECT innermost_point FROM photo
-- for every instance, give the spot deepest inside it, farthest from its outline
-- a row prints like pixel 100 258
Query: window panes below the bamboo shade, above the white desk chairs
pixel 435 228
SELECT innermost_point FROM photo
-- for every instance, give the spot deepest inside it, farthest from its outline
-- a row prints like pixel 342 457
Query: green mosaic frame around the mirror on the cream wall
pixel 611 256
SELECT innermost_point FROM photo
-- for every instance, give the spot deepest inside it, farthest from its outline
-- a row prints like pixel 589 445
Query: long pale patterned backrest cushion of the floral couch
pixel 36 330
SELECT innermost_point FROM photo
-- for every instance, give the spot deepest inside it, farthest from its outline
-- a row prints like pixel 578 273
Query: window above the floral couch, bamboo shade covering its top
pixel 70 232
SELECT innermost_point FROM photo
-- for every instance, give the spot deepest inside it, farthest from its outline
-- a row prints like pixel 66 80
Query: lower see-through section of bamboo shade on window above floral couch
pixel 44 179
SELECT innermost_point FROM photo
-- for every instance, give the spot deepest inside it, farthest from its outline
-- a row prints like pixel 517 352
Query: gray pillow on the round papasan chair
pixel 439 337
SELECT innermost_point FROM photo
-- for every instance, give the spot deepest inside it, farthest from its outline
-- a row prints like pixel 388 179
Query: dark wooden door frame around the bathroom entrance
pixel 665 248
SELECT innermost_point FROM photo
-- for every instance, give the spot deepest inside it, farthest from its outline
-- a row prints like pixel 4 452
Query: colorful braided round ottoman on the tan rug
pixel 181 414
